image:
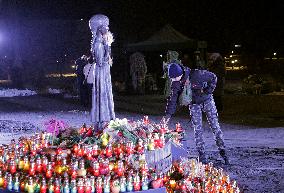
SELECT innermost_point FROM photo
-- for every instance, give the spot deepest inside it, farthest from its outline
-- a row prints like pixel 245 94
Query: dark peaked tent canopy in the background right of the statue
pixel 165 39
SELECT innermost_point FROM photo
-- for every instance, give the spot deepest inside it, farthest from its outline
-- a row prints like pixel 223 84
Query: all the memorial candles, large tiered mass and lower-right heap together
pixel 27 167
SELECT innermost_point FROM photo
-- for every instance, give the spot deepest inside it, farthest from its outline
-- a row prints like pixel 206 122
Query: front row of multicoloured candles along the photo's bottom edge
pixel 87 184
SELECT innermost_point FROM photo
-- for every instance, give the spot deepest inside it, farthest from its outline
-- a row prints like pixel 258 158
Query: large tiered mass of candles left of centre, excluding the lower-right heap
pixel 27 167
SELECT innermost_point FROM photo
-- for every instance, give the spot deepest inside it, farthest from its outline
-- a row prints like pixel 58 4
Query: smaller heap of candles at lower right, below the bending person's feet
pixel 198 177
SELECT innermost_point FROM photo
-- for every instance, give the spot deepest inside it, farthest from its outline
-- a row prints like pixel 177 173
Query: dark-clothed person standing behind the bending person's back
pixel 218 67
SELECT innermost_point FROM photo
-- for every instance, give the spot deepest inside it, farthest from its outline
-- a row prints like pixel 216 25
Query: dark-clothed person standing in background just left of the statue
pixel 80 64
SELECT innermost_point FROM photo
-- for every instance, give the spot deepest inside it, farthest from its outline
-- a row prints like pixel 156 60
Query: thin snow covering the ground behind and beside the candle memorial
pixel 256 154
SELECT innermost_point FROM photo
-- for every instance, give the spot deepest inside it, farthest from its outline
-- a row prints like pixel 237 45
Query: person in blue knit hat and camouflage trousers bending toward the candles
pixel 203 84
